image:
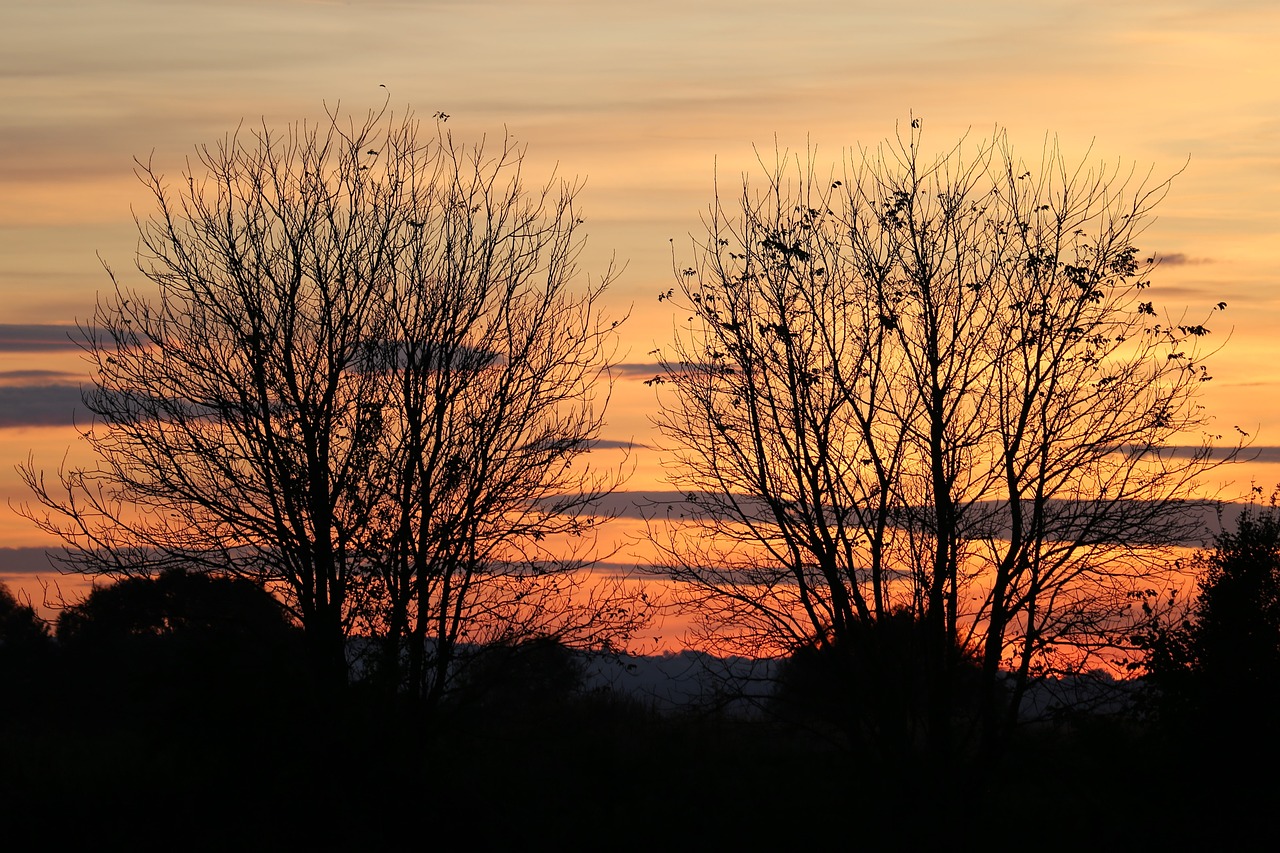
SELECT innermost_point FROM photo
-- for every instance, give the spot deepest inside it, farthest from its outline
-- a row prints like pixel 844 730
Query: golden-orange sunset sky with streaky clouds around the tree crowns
pixel 646 102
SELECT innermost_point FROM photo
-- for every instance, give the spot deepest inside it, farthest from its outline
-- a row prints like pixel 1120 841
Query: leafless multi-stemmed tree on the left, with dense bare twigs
pixel 365 377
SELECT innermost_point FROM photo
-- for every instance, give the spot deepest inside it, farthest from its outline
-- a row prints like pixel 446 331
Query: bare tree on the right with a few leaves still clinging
pixel 939 387
